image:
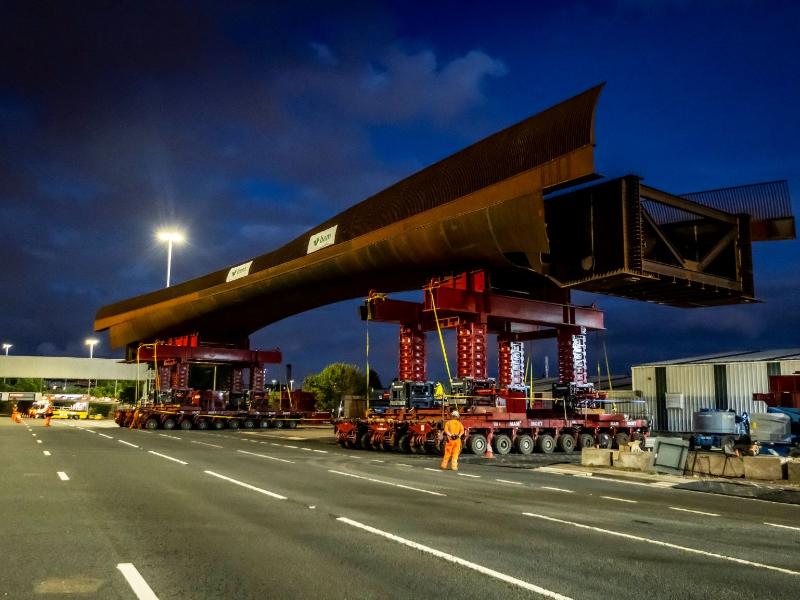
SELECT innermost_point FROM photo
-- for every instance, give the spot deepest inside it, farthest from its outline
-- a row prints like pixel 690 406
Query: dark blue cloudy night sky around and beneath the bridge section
pixel 246 124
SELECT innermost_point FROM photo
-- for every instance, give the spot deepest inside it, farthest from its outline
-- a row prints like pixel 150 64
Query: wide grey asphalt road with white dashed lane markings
pixel 98 512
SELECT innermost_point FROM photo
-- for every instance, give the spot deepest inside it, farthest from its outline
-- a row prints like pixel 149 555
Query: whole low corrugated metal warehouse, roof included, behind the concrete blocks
pixel 675 389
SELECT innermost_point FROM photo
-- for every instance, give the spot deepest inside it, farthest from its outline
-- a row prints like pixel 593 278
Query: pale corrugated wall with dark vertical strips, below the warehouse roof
pixel 731 386
